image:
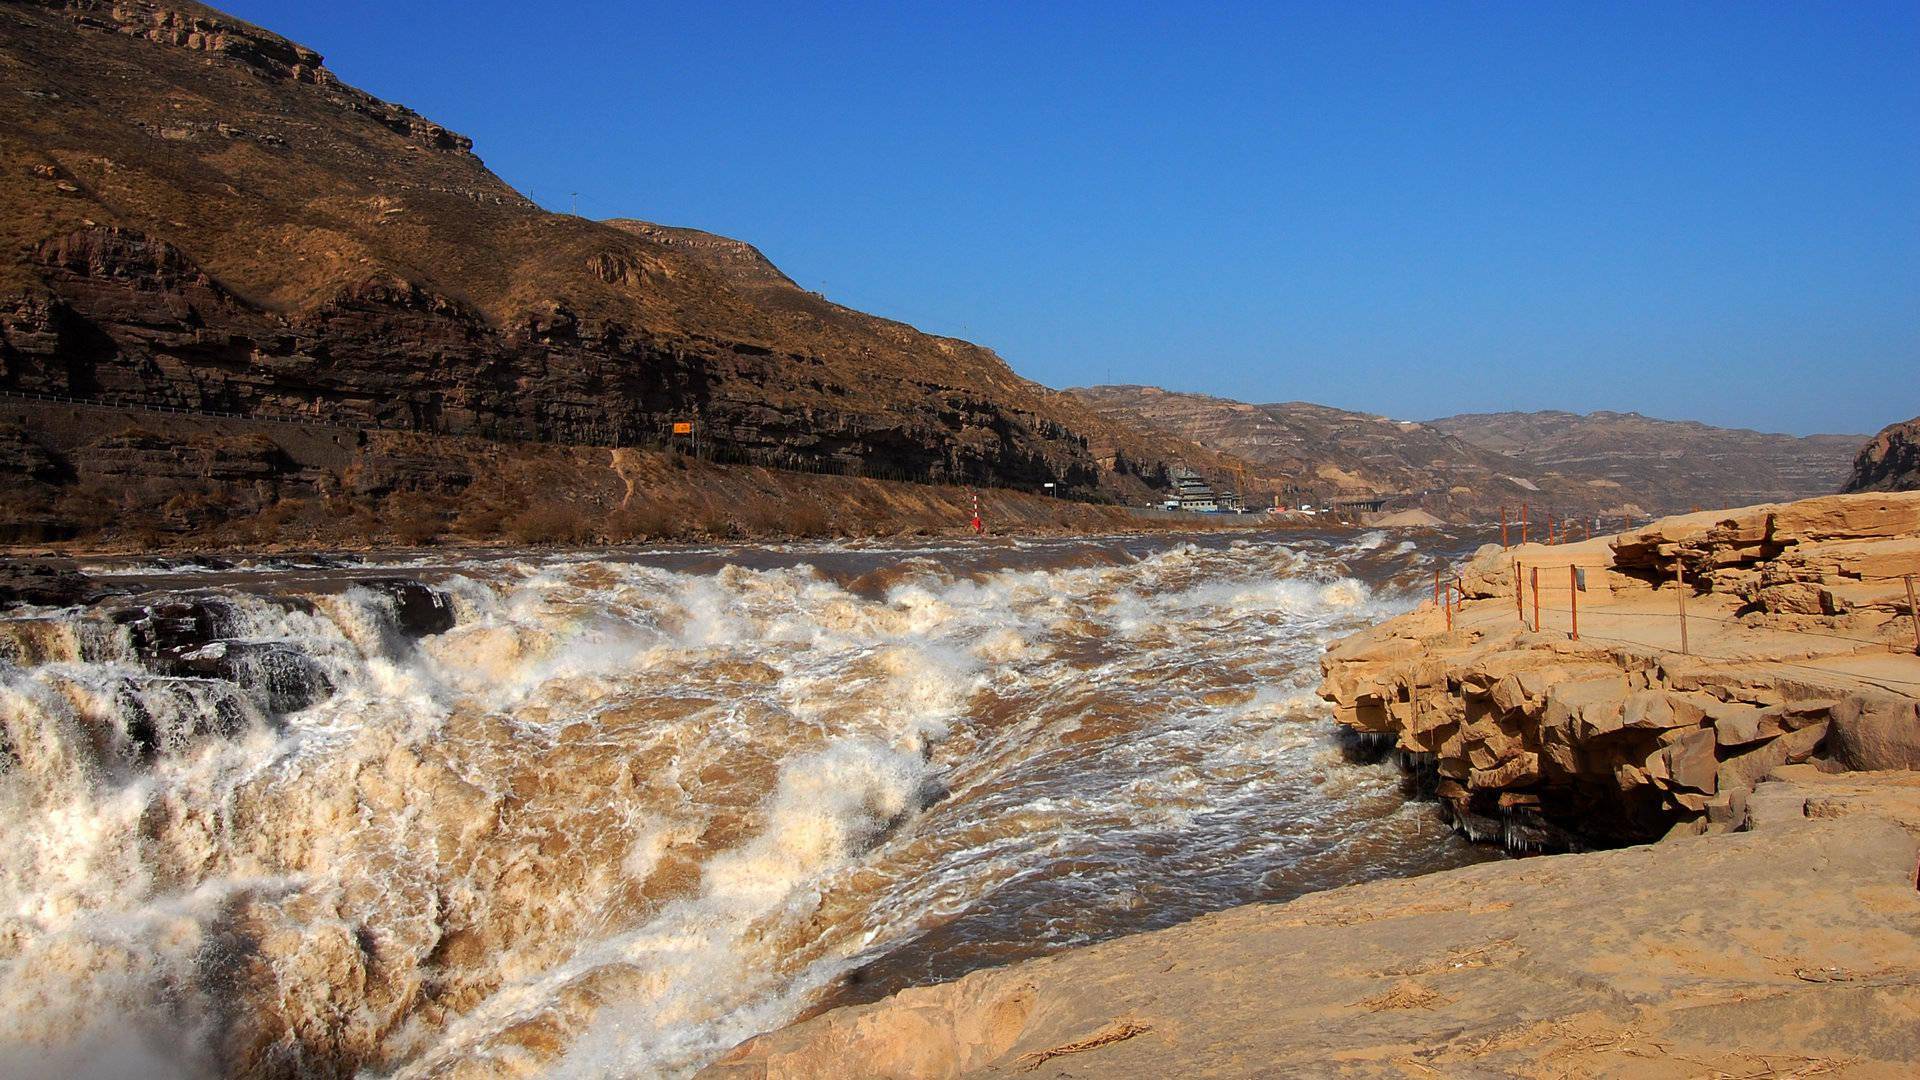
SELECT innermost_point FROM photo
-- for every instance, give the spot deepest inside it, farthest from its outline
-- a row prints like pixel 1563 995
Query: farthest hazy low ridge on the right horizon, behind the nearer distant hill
pixel 1669 466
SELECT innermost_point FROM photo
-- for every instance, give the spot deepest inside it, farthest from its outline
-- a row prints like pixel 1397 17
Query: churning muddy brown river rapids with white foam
pixel 598 816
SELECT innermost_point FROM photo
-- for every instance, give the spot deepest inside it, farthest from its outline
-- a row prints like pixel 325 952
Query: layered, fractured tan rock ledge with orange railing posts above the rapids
pixel 1798 647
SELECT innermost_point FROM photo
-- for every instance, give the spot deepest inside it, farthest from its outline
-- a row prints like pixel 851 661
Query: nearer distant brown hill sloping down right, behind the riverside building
pixel 1322 454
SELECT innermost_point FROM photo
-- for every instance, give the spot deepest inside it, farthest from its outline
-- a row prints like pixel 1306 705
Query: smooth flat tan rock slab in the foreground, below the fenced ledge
pixel 1790 950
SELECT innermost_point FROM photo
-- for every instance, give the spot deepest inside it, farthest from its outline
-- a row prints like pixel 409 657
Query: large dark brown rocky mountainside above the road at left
pixel 197 214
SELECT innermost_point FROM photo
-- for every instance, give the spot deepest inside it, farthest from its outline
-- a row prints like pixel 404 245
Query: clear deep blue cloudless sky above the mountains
pixel 1692 210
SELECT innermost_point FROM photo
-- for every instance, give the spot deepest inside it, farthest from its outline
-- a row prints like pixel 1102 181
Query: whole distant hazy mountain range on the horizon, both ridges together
pixel 1472 466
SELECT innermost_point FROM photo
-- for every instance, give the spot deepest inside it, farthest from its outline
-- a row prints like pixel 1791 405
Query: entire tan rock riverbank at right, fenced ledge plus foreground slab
pixel 1775 931
